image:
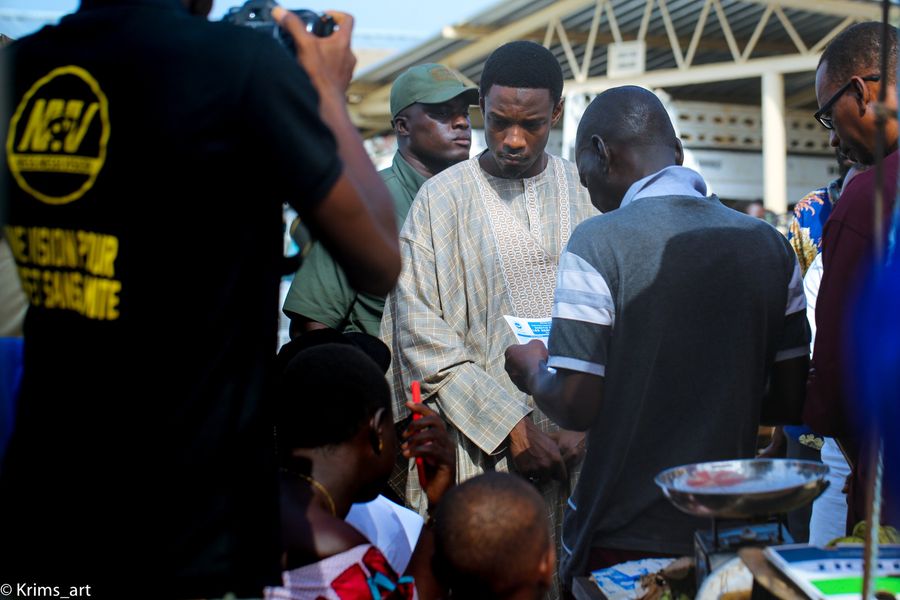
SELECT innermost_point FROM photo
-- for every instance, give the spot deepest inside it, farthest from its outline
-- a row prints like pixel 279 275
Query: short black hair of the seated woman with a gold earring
pixel 325 394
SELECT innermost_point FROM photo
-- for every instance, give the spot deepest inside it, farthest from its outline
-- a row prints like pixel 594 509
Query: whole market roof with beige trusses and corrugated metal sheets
pixel 711 50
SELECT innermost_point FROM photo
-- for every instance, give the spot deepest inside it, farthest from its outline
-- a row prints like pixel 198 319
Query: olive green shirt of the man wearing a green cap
pixel 320 290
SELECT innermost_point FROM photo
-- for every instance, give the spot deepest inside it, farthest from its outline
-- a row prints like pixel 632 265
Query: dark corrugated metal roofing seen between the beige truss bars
pixel 811 19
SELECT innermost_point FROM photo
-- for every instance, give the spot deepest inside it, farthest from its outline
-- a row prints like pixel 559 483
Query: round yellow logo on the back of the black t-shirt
pixel 58 135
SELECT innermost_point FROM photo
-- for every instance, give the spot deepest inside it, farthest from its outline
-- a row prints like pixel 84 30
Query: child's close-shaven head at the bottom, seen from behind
pixel 492 539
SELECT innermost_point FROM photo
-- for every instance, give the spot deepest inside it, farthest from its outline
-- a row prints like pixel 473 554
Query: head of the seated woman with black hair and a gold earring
pixel 334 395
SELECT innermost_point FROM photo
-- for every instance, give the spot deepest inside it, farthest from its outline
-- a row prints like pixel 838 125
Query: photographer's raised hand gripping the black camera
pixel 328 61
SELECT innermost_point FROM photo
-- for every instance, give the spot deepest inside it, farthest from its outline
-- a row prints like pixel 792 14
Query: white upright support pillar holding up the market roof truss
pixel 774 143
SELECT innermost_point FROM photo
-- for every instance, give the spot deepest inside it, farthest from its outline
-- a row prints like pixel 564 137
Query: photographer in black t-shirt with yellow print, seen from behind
pixel 149 152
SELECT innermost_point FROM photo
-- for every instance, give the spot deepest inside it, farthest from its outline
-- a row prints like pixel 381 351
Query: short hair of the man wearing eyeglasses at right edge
pixel 857 51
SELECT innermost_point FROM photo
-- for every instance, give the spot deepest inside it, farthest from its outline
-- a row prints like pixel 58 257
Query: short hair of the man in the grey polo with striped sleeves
pixel 628 114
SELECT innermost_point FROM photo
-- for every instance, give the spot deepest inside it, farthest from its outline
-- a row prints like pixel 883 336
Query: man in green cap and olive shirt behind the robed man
pixel 430 117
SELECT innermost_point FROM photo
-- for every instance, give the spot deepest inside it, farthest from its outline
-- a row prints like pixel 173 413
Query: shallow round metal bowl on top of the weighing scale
pixel 743 489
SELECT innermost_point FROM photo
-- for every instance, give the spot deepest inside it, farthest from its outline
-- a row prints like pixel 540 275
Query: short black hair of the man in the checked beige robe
pixel 523 64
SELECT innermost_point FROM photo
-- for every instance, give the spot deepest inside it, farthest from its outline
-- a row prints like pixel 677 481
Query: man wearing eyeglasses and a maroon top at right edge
pixel 848 81
